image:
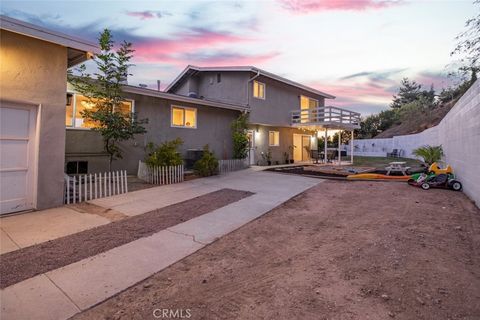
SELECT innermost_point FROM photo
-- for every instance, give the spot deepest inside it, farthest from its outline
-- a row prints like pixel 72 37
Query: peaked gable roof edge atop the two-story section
pixel 191 70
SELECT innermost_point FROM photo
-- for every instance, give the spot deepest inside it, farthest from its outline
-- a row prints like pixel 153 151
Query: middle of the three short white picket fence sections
pixel 160 175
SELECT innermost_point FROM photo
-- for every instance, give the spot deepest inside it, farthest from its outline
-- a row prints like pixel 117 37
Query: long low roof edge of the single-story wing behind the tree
pixel 176 97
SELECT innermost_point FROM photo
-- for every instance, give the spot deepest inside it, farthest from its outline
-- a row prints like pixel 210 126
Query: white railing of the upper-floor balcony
pixel 326 118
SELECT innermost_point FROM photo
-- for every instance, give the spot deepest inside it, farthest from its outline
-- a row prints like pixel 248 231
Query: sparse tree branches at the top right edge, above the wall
pixel 468 47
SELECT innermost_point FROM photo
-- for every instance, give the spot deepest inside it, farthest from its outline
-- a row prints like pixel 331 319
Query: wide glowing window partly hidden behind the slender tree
pixel 76 104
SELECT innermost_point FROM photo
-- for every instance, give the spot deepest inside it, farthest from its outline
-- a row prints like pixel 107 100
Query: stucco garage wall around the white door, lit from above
pixel 34 71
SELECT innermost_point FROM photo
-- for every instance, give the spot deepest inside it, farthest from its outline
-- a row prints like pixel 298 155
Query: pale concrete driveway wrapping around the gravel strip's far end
pixel 63 292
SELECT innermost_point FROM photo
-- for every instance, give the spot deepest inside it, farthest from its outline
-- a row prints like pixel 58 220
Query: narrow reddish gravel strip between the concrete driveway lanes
pixel 25 263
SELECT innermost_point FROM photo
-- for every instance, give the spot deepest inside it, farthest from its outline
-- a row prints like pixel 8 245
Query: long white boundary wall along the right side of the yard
pixel 458 133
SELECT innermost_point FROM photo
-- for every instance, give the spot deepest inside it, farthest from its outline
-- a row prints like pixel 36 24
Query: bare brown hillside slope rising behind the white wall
pixel 418 121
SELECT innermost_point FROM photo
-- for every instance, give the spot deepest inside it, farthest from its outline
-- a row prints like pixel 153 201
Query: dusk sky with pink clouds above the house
pixel 357 50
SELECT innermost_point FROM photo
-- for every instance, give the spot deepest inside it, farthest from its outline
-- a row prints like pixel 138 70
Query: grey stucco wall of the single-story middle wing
pixel 213 128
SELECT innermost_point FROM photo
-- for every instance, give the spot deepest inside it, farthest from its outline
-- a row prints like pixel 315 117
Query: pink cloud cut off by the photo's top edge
pixel 306 6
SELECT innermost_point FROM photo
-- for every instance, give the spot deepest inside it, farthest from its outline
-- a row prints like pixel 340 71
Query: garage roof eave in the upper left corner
pixel 78 49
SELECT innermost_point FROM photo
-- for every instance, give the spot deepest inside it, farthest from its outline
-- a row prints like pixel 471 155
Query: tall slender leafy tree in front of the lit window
pixel 103 91
